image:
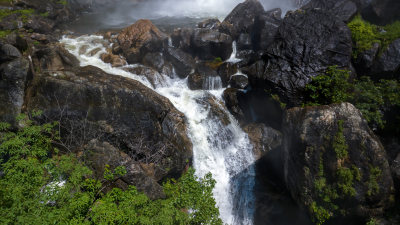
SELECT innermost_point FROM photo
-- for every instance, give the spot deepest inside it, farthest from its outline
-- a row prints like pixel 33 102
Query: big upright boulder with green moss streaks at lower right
pixel 332 159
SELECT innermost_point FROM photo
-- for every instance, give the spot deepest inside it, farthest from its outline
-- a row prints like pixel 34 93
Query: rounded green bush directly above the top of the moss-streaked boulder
pixel 327 88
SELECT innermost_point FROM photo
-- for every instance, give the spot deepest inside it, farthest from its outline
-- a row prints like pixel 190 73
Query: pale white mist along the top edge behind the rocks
pixel 120 13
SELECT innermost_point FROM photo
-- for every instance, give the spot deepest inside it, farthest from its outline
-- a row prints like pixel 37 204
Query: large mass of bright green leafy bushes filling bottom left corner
pixel 39 185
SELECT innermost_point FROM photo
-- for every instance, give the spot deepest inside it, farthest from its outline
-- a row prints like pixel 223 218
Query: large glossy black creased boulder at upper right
pixel 307 43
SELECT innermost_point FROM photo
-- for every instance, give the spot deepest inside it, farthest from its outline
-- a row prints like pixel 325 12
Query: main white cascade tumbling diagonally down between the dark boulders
pixel 219 144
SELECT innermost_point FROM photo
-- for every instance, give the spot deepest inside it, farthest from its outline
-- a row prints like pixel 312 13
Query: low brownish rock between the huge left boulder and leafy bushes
pixel 98 155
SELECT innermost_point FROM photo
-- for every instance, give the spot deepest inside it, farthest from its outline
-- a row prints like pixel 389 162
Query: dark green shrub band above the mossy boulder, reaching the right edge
pixel 368 96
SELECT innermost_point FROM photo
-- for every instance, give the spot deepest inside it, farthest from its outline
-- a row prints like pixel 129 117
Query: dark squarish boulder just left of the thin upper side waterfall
pixel 209 44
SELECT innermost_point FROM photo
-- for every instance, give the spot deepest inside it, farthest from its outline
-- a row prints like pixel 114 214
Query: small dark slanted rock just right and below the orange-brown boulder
pixel 182 61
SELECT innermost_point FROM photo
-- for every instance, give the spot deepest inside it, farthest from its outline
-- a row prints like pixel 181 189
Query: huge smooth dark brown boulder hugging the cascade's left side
pixel 121 111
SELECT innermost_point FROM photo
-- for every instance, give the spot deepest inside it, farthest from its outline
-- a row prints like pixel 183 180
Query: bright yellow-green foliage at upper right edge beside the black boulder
pixel 364 35
